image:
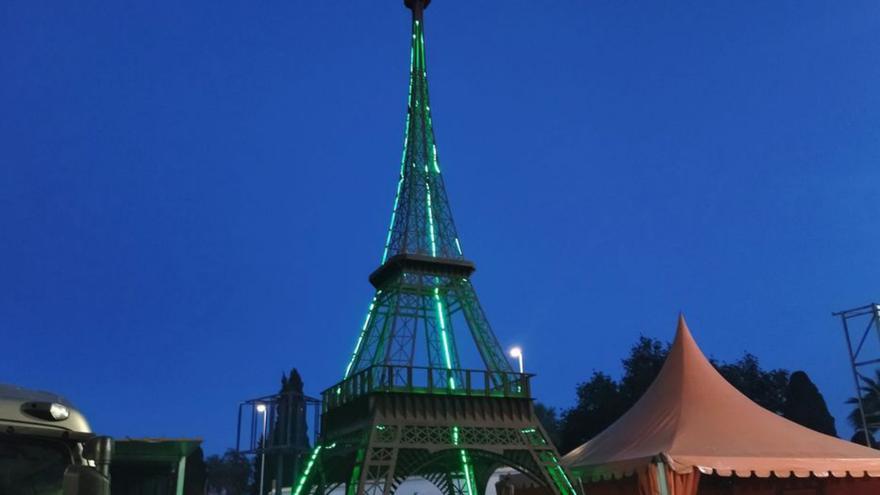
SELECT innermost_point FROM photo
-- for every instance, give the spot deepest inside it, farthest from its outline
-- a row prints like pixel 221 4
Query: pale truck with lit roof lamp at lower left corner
pixel 47 447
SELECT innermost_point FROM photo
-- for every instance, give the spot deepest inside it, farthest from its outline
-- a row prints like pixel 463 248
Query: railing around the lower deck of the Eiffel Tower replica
pixel 436 381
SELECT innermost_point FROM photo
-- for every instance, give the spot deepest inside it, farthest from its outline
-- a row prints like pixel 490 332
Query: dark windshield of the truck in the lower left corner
pixel 32 466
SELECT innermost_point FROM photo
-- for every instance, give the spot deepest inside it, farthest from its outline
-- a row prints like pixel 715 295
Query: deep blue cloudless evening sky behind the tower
pixel 192 194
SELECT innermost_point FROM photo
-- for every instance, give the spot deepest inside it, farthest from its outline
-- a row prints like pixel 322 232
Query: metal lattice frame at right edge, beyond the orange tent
pixel 858 325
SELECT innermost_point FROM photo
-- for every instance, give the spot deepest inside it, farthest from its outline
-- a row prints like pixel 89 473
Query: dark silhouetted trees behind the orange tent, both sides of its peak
pixel 601 400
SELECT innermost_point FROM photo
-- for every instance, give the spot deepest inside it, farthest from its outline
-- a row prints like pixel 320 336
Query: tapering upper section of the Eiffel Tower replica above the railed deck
pixel 423 281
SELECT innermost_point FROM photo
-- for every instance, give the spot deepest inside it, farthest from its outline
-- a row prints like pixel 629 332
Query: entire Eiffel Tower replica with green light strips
pixel 405 406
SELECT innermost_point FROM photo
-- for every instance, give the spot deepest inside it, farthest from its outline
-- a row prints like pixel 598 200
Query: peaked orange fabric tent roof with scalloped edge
pixel 691 417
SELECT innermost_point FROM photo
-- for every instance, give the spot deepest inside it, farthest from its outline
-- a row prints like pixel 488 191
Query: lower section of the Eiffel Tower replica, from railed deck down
pixel 388 423
